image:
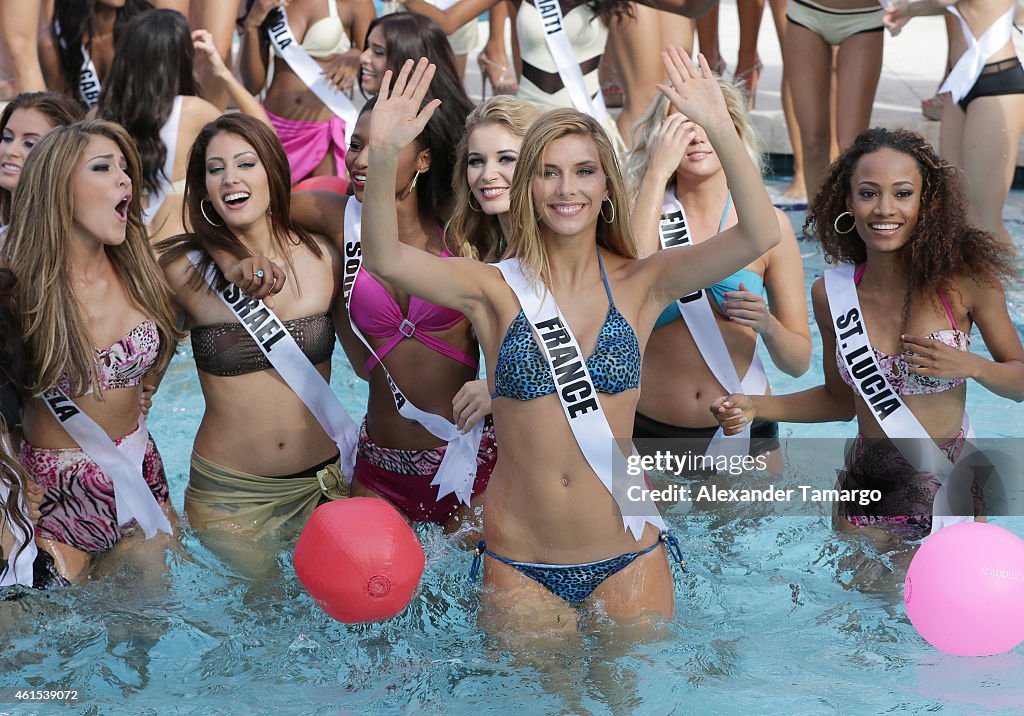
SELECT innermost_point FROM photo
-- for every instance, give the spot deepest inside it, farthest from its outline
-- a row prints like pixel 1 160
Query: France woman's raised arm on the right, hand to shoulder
pixel 679 271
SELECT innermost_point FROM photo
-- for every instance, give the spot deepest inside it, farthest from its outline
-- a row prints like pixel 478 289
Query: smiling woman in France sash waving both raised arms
pixel 545 504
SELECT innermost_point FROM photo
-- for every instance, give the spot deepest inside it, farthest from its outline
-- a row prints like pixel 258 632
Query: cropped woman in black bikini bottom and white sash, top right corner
pixel 984 124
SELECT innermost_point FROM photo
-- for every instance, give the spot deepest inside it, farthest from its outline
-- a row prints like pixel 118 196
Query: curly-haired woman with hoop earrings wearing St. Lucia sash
pixel 891 213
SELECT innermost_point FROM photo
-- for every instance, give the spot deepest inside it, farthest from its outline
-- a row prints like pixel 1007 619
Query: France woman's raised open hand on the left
pixel 398 118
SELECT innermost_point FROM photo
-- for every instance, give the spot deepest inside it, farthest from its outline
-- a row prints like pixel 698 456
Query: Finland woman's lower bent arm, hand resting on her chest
pixel 785 329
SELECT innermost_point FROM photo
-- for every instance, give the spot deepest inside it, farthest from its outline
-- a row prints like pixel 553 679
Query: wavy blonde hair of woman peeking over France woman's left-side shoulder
pixel 471 232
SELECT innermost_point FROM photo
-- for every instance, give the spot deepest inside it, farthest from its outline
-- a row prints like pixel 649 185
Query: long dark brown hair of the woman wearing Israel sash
pixel 205 236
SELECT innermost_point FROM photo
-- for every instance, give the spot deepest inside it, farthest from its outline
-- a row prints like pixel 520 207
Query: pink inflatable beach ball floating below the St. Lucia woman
pixel 965 591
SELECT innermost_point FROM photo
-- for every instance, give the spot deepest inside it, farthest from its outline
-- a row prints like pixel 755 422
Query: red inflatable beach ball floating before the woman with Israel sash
pixel 359 560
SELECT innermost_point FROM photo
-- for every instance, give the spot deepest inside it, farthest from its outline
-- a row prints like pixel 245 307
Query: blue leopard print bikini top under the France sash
pixel 522 372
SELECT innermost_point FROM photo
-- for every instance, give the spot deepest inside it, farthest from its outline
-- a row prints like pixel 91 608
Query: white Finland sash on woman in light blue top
pixel 701 321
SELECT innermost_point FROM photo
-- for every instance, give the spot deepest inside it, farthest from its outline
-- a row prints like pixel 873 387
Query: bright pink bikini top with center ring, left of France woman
pixel 377 314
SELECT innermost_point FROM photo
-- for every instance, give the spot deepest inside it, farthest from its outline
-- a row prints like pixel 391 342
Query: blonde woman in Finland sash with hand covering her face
pixel 674 175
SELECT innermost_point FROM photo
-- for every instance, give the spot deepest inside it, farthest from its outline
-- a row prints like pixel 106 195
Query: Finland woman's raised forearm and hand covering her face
pixel 673 140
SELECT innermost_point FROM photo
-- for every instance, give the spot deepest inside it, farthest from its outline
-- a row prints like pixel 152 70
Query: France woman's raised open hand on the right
pixel 695 92
